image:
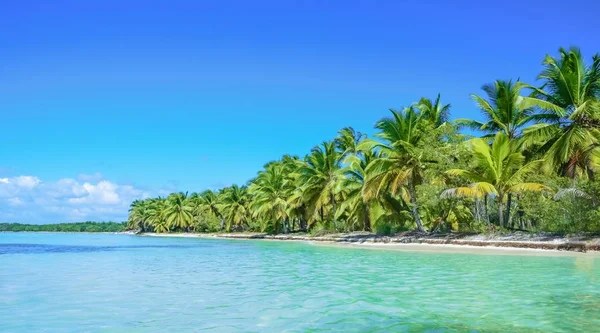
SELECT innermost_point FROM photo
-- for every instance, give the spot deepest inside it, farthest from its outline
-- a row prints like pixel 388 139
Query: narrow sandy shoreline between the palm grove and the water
pixel 477 243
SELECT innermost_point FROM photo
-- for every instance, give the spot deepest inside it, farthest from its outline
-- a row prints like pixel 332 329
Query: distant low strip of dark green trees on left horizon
pixel 65 227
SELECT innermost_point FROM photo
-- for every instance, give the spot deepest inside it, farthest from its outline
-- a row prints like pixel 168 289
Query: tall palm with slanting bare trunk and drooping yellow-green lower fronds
pixel 400 167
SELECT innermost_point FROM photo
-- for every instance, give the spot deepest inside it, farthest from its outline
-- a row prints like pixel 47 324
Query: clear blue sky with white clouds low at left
pixel 104 102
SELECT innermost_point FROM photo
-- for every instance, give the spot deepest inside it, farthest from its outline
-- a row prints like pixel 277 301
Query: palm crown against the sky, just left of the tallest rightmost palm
pixel 506 109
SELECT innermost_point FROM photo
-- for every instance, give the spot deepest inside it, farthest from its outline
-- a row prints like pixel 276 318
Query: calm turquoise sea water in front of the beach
pixel 121 283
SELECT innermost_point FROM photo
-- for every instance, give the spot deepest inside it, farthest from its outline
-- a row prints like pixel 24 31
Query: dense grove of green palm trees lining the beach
pixel 533 167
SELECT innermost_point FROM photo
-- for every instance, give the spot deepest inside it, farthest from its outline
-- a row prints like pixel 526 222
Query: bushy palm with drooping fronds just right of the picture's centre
pixel 318 178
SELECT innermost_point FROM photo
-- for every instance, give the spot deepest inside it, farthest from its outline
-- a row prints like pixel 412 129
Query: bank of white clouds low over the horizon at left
pixel 27 199
